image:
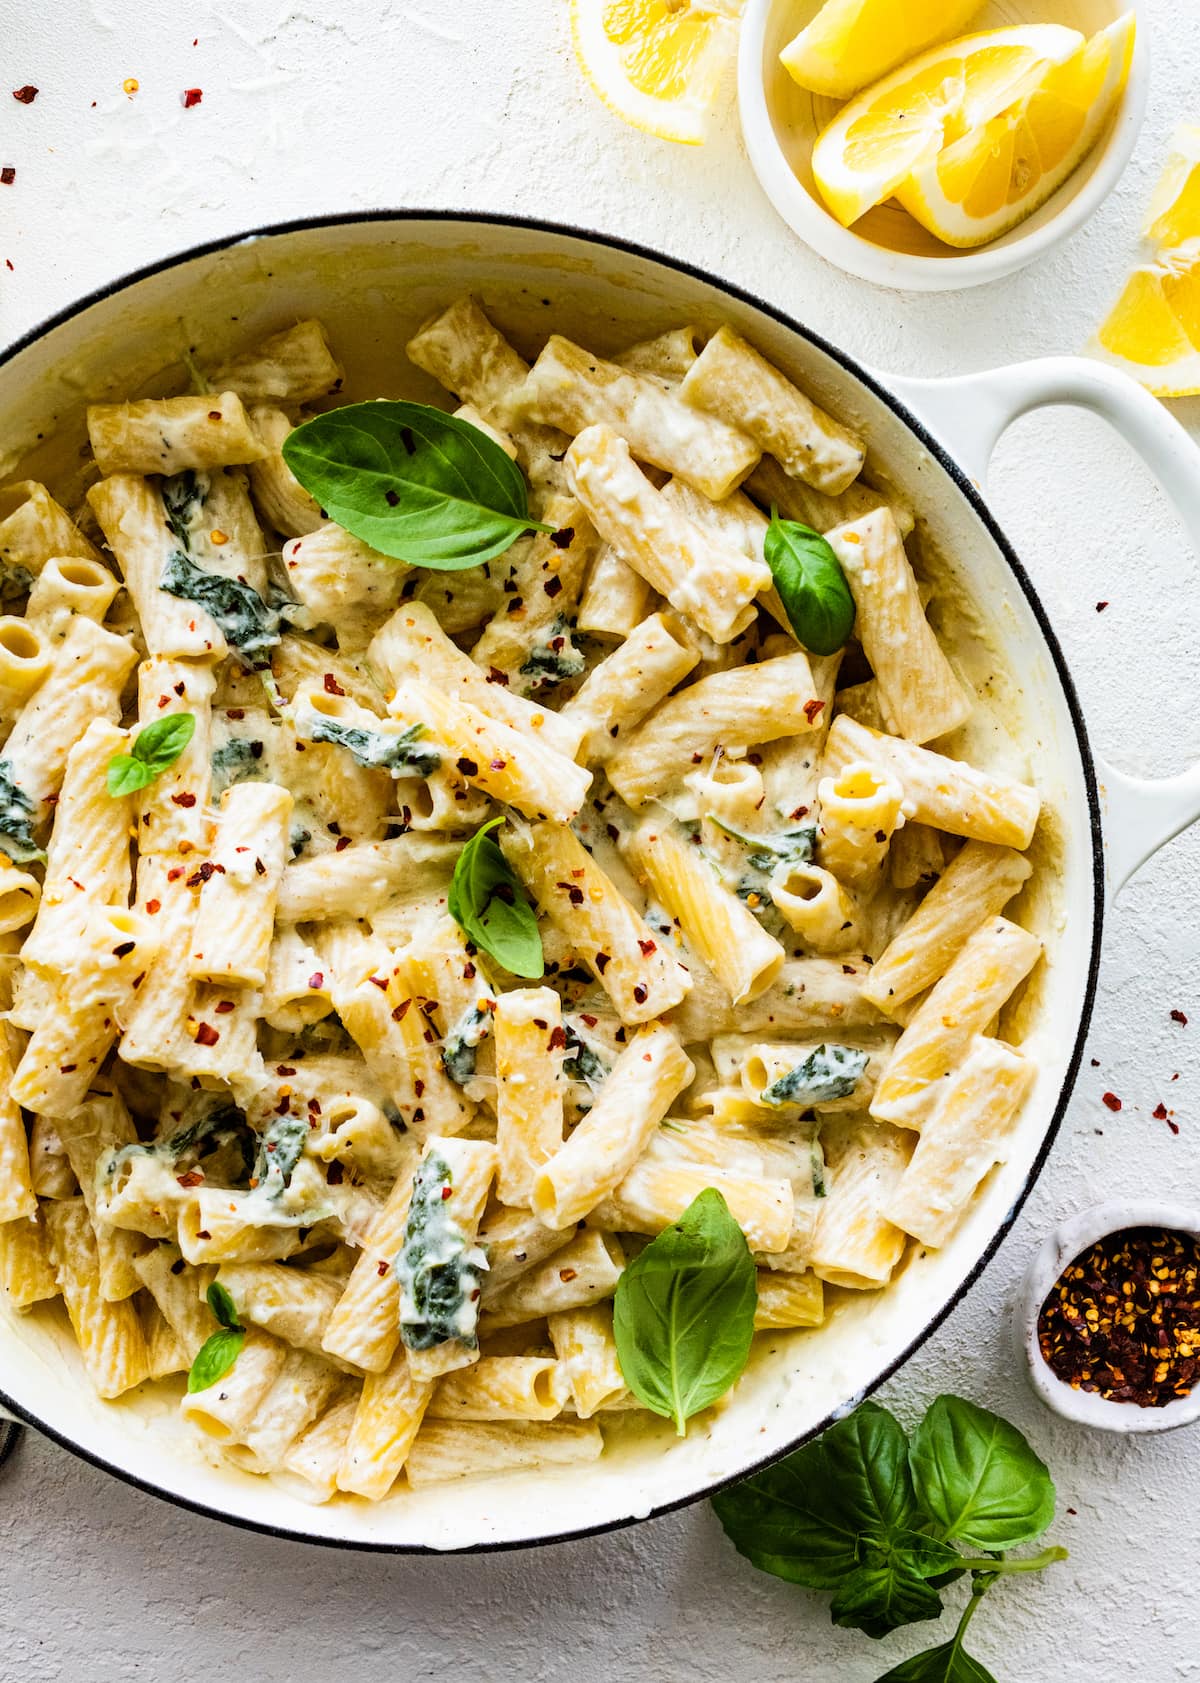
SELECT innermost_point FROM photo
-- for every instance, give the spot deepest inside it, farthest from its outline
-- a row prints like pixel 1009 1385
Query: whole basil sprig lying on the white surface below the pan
pixel 873 1516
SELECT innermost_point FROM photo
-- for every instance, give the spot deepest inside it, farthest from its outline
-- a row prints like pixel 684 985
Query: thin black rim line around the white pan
pixel 980 509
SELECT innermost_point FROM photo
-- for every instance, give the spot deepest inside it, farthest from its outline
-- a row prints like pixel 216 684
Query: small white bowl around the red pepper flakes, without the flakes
pixel 1061 1248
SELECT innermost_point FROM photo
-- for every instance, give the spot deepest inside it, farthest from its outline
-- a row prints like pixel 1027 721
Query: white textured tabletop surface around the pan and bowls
pixel 359 104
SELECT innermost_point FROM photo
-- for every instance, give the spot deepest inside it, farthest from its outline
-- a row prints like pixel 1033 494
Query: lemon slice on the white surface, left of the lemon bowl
pixel 657 63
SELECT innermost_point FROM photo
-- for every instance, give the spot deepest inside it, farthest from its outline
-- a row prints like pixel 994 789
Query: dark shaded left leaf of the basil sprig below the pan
pixel 804 1519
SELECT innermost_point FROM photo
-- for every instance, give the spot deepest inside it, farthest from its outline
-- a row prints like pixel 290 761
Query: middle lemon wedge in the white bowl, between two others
pixel 903 124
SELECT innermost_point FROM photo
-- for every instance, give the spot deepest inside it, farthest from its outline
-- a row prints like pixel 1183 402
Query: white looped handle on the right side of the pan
pixel 970 413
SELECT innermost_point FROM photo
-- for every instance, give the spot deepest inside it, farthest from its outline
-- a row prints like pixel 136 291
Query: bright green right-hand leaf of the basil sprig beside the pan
pixel 979 1479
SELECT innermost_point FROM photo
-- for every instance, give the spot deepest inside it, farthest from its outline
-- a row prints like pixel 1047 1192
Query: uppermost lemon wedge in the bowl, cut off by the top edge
pixel 854 43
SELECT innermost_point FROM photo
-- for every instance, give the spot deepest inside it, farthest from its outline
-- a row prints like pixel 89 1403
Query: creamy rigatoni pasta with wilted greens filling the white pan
pixel 280 1046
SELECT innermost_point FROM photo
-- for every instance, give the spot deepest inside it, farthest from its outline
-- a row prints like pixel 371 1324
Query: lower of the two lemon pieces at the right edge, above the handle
pixel 1154 332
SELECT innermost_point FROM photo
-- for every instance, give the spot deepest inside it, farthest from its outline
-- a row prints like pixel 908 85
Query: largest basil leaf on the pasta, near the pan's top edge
pixel 413 482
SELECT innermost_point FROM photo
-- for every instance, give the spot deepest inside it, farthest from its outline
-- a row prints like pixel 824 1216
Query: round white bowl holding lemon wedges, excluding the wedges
pixel 780 124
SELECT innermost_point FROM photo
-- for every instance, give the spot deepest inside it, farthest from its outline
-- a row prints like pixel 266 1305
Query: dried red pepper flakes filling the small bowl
pixel 1123 1320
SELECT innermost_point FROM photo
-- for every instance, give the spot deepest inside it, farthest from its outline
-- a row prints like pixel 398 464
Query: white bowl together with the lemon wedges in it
pixel 938 144
